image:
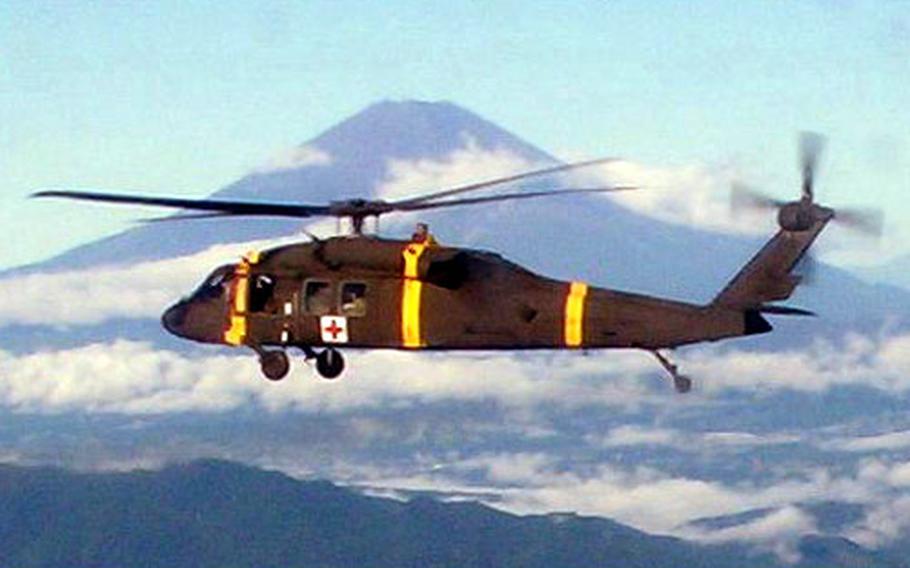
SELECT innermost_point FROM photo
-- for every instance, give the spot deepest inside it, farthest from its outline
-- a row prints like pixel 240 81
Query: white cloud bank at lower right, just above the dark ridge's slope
pixel 657 502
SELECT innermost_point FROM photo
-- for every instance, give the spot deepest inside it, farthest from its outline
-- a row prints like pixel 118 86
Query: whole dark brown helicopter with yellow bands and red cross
pixel 363 291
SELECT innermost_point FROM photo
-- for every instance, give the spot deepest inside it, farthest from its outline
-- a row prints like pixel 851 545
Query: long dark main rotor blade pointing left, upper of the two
pixel 225 207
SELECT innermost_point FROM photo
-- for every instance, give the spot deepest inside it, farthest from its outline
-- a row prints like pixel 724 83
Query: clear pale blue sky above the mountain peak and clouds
pixel 185 97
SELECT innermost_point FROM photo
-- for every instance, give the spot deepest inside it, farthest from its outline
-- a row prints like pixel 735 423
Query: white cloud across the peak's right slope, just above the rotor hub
pixel 470 164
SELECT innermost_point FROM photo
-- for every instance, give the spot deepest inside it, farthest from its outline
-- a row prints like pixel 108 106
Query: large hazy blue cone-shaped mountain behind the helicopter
pixel 580 237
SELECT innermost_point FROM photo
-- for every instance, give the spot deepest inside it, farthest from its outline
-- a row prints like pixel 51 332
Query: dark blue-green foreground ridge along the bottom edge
pixel 219 514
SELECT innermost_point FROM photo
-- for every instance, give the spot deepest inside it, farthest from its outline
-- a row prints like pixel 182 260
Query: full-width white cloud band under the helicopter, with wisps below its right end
pixel 132 377
